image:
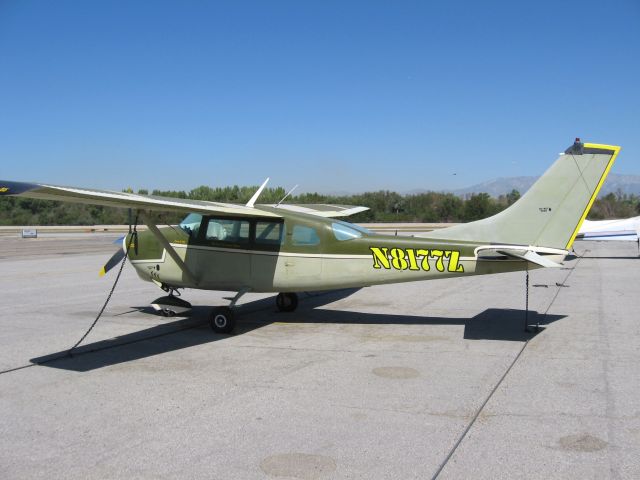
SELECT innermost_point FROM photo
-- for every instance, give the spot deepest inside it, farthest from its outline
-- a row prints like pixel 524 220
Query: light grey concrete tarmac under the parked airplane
pixel 423 380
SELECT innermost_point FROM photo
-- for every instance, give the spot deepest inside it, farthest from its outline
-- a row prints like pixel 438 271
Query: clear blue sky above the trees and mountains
pixel 334 96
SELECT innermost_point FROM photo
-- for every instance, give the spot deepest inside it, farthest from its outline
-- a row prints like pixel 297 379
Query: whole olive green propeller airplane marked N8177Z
pixel 301 248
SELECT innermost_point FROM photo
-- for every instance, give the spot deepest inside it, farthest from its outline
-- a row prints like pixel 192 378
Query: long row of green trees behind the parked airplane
pixel 384 206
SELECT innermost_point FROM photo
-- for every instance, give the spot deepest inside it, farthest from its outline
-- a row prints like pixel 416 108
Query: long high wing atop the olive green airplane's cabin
pixel 153 203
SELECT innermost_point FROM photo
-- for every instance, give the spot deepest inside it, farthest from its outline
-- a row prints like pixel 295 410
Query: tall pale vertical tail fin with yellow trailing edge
pixel 551 212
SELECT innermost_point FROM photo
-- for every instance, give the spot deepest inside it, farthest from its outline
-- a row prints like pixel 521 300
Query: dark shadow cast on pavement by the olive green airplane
pixel 491 324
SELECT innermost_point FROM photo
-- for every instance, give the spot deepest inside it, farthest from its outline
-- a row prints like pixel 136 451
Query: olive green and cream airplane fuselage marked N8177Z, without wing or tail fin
pixel 300 253
